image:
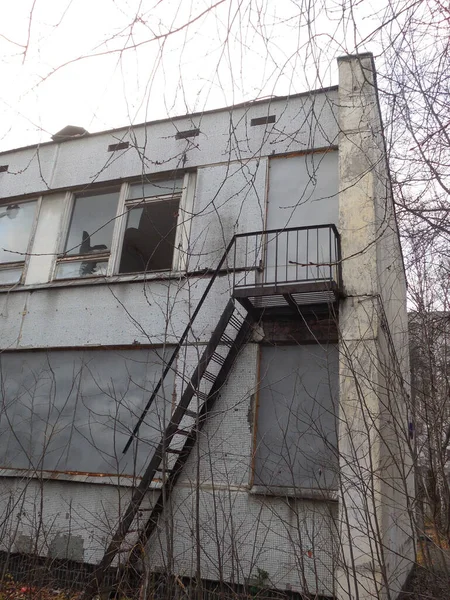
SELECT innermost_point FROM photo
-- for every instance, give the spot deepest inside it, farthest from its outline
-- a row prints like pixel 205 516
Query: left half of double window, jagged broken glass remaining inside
pixel 88 243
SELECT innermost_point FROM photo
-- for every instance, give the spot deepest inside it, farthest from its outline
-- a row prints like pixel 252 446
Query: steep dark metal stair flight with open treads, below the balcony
pixel 179 437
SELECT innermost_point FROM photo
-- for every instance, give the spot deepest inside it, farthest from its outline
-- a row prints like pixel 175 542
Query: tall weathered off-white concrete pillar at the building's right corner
pixel 376 537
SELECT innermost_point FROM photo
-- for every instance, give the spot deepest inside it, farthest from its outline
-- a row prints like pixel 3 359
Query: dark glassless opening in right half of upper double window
pixel 149 239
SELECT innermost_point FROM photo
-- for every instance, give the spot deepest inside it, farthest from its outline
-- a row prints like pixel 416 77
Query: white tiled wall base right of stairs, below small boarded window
pixel 241 535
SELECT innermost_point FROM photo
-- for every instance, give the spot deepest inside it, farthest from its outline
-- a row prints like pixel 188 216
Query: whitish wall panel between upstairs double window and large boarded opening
pixel 95 315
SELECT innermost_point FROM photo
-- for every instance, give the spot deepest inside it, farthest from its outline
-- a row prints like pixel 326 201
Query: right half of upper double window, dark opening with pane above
pixel 151 223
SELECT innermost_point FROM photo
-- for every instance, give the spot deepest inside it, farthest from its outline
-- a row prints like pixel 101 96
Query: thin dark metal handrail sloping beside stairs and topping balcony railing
pixel 203 298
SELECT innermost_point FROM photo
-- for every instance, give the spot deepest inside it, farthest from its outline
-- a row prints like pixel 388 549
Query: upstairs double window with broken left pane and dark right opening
pixel 128 229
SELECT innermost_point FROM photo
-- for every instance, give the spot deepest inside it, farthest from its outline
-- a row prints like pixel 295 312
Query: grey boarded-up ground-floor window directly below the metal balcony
pixel 296 420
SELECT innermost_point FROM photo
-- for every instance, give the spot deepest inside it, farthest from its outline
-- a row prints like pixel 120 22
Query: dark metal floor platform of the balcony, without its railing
pixel 287 299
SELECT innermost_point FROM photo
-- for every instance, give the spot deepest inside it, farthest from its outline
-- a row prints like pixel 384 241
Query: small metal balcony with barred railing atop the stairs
pixel 291 271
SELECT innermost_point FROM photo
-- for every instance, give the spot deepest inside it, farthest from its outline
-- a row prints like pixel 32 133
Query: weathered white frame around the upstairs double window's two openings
pixel 113 256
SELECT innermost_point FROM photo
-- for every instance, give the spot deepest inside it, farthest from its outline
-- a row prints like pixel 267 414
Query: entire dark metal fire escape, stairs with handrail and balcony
pixel 252 298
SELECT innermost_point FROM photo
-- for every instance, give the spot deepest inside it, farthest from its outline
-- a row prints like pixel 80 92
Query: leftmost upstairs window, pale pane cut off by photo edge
pixel 16 224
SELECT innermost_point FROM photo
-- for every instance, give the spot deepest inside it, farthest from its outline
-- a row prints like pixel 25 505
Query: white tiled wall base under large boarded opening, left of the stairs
pixel 82 513
